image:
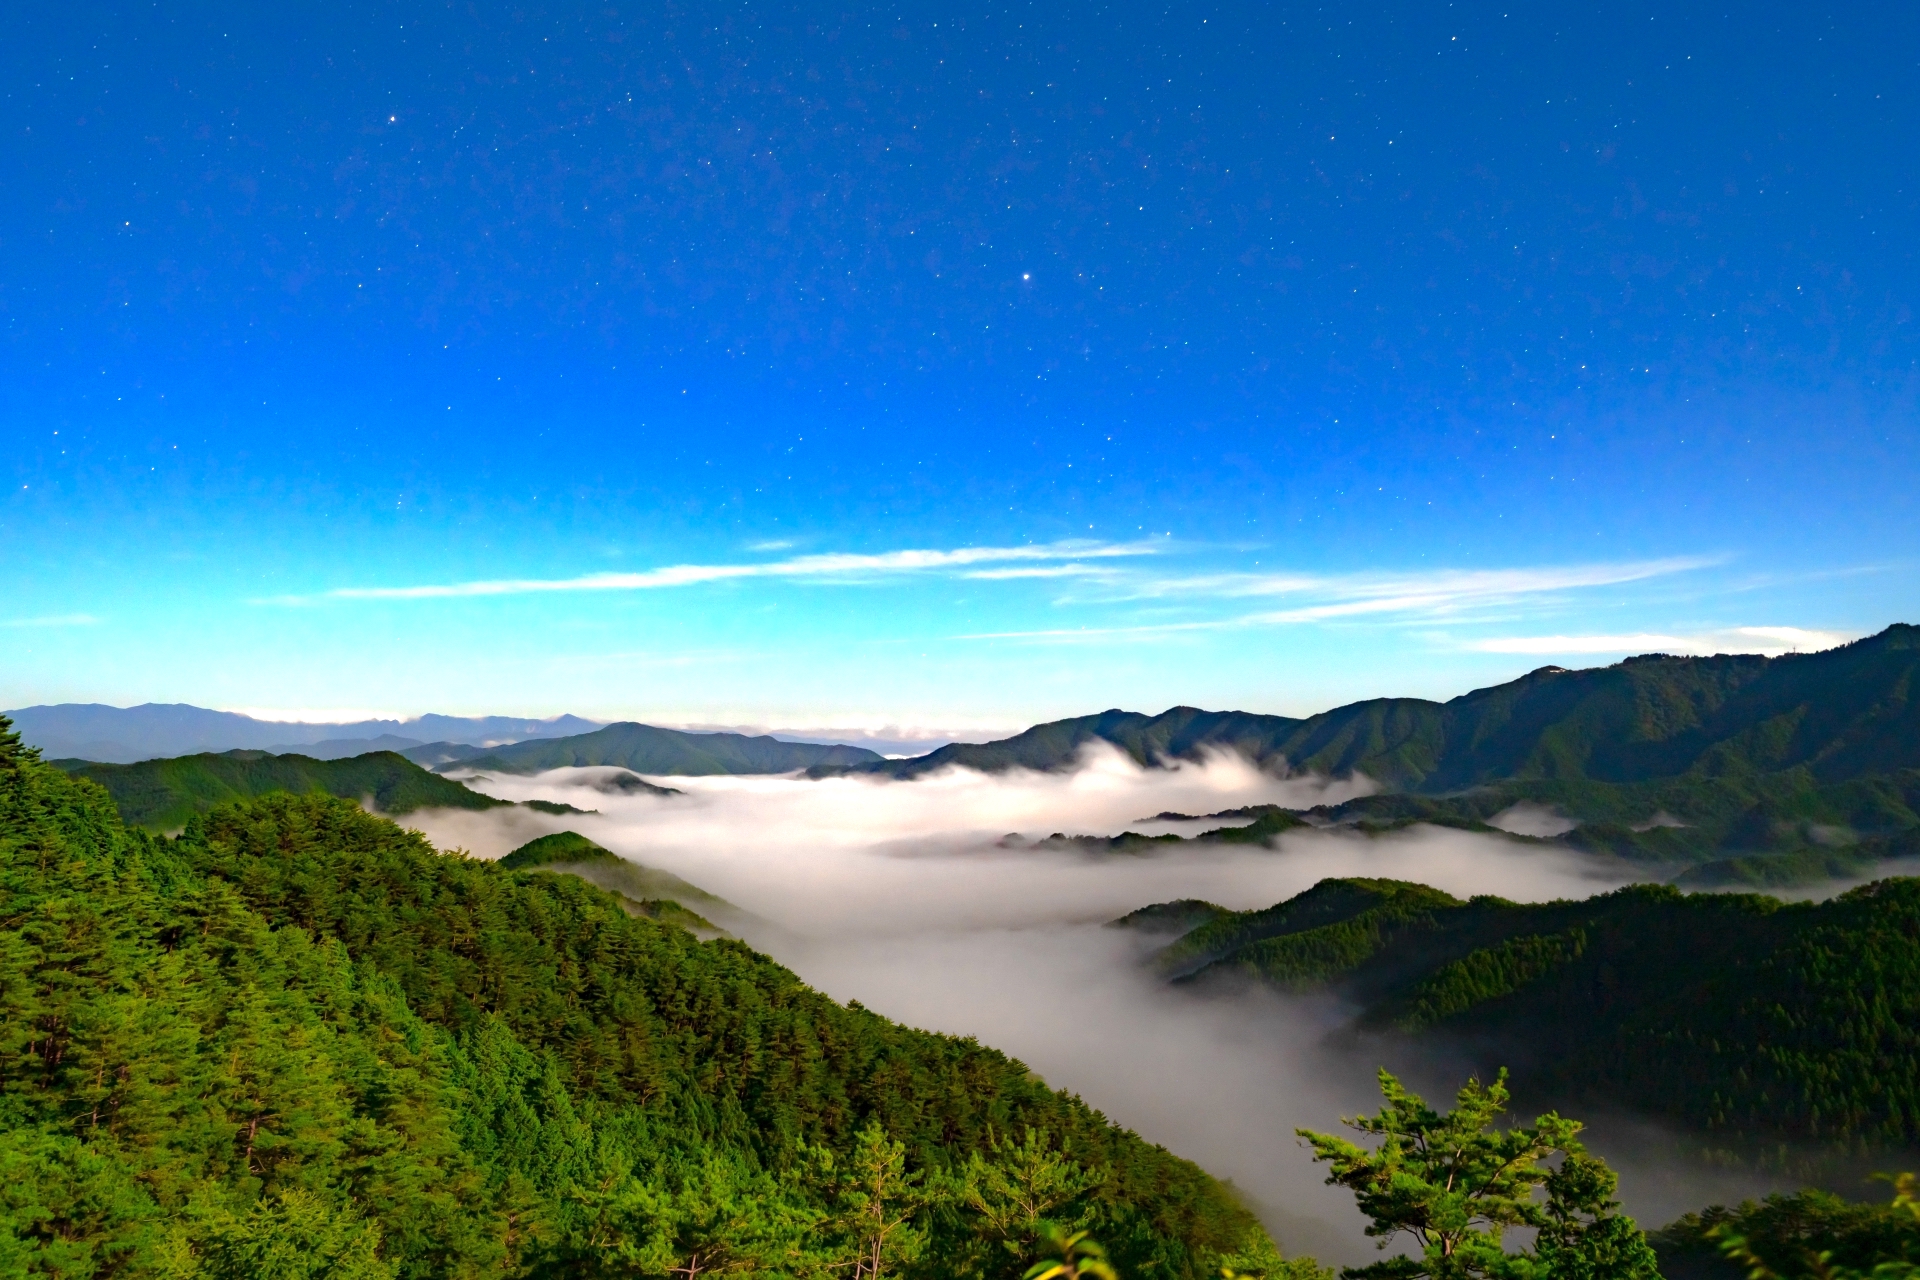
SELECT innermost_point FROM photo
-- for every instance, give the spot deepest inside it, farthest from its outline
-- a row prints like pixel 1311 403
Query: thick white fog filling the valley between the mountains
pixel 909 899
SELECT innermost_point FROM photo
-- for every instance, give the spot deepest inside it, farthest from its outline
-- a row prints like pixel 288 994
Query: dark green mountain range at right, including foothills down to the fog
pixel 1727 770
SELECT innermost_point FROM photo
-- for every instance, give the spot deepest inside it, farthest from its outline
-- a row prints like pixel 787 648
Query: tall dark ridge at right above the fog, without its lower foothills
pixel 1838 715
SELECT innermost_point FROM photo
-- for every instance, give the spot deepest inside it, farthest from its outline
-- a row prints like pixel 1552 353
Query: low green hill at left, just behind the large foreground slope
pixel 162 795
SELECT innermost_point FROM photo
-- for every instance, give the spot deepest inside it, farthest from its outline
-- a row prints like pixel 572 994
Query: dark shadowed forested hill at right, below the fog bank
pixel 1735 1014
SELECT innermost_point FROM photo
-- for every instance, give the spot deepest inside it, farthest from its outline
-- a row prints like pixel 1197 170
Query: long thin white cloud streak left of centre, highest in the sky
pixel 834 567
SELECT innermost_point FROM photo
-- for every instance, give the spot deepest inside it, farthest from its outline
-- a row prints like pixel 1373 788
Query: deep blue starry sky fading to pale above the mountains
pixel 1389 343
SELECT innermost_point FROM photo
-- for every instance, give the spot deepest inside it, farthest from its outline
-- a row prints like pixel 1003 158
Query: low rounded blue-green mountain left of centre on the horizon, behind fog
pixel 648 749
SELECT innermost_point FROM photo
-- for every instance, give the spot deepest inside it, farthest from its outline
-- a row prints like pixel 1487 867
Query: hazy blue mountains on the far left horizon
pixel 156 730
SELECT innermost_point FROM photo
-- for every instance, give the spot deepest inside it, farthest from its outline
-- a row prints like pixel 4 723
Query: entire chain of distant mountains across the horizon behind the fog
pixel 1729 769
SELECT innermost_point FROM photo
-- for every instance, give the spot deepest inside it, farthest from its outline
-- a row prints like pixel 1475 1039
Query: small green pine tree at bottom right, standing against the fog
pixel 1456 1185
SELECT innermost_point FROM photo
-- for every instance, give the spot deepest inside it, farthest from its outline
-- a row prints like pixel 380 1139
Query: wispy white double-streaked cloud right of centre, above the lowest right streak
pixel 1435 596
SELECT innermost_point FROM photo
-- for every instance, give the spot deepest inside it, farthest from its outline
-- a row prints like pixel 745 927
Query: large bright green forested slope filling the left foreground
pixel 300 1033
